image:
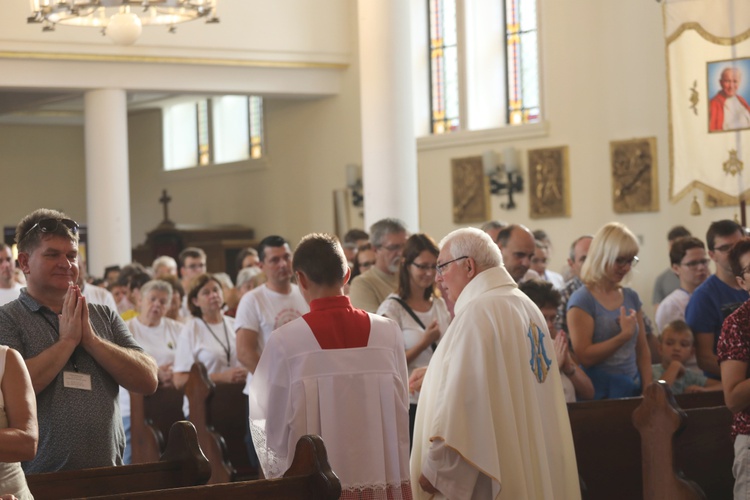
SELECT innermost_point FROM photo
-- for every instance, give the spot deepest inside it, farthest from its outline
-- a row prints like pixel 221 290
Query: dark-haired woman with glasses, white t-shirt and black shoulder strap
pixel 422 316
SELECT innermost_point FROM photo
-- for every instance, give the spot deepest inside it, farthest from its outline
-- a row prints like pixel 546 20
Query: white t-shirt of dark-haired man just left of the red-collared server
pixel 263 310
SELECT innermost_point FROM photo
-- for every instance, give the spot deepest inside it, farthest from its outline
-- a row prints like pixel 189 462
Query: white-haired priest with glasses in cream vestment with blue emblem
pixel 491 420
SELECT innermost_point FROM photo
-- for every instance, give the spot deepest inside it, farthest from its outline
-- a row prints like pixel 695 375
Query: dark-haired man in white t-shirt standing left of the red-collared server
pixel 266 308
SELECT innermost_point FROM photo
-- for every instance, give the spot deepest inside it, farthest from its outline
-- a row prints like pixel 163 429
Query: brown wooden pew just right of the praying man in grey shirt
pixel 151 417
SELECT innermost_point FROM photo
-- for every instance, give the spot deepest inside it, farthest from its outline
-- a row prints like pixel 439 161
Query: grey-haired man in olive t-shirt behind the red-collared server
pixel 370 289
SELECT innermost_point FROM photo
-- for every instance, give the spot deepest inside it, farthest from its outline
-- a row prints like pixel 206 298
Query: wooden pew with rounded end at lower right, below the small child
pixel 702 451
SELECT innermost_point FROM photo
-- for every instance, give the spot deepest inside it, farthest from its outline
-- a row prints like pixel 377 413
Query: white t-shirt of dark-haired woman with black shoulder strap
pixel 412 331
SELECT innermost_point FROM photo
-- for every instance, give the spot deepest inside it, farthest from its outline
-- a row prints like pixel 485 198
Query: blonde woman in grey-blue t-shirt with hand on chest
pixel 605 319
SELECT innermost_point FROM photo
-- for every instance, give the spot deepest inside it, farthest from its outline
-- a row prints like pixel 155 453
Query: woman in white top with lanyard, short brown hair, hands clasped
pixel 208 336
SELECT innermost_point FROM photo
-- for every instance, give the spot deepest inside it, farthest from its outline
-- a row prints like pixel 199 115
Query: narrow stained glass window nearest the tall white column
pixel 444 91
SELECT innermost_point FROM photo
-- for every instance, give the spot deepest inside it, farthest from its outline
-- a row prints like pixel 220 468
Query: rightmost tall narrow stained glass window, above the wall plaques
pixel 522 61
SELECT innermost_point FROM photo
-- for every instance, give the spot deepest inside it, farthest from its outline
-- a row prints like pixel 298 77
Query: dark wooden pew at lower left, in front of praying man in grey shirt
pixel 182 464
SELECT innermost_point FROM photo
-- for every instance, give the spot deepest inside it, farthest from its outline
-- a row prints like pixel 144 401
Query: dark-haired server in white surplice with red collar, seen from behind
pixel 338 372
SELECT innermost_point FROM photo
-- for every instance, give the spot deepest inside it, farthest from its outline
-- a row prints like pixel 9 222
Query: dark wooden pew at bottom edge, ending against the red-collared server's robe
pixel 308 478
